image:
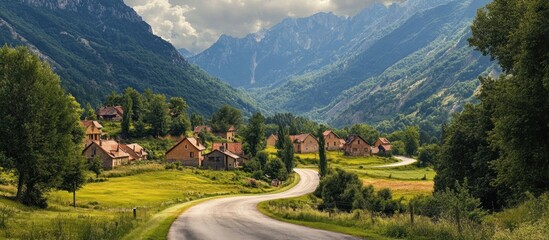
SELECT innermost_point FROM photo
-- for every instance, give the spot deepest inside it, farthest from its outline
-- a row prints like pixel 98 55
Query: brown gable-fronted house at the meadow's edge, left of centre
pixel 188 152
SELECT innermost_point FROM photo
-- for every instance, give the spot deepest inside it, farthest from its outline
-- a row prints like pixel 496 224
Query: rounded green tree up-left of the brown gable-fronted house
pixel 158 116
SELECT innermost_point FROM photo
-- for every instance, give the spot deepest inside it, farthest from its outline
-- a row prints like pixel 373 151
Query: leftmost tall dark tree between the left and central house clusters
pixel 254 134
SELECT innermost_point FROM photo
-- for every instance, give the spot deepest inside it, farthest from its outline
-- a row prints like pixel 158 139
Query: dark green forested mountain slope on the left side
pixel 99 46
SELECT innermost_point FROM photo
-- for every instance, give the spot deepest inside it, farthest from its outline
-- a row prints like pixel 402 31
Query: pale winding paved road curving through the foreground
pixel 238 218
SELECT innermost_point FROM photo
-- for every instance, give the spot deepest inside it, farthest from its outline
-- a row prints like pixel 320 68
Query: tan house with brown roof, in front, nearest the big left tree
pixel 109 151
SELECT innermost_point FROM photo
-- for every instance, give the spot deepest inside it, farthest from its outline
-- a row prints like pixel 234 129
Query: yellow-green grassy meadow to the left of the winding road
pixel 104 209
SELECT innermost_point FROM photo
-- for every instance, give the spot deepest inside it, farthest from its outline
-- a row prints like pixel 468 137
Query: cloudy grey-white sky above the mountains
pixel 197 24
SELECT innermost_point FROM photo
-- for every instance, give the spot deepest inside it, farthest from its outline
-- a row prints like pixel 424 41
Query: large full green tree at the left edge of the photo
pixel 42 122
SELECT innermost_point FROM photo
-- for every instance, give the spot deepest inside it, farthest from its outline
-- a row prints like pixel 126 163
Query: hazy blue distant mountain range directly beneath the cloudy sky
pixel 298 46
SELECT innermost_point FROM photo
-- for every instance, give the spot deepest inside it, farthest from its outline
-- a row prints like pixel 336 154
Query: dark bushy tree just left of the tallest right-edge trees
pixel 466 154
